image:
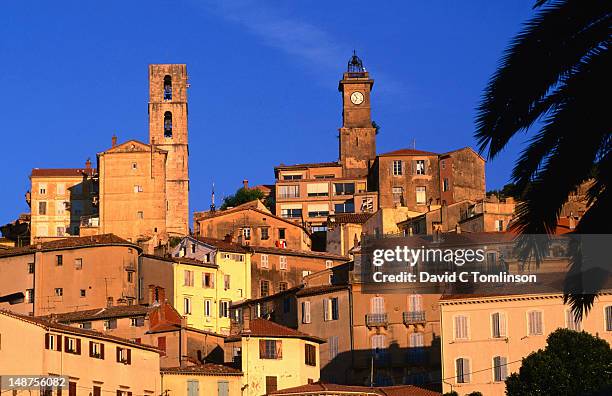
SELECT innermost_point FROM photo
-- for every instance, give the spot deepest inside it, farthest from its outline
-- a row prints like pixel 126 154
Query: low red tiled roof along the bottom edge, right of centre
pixel 322 388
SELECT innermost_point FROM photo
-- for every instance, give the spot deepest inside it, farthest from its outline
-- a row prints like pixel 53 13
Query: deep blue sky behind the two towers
pixel 263 80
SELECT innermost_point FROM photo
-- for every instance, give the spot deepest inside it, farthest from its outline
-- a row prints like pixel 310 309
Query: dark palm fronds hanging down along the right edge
pixel 552 79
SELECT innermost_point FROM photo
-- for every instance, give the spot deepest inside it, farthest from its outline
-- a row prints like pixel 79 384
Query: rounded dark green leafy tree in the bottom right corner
pixel 572 363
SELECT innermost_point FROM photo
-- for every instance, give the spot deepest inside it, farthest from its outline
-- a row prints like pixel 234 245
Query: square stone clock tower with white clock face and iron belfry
pixel 357 136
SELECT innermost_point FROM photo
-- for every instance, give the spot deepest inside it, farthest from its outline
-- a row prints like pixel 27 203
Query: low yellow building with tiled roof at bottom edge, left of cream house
pixel 206 379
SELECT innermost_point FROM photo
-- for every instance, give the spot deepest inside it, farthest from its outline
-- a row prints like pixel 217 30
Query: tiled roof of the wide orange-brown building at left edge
pixel 70 243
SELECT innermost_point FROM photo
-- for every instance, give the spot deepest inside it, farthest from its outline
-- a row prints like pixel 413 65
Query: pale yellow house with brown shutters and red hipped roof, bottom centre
pixel 273 357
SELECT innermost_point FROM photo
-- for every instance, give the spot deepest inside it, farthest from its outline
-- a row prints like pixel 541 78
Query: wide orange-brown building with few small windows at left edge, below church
pixel 70 274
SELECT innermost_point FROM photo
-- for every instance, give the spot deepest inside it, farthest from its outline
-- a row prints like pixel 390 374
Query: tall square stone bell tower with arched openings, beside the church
pixel 168 131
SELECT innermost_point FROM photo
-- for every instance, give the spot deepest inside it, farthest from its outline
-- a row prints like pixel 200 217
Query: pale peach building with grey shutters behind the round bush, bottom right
pixel 484 338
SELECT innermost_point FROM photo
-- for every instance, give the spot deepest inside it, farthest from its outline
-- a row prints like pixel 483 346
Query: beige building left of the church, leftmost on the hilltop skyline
pixel 58 198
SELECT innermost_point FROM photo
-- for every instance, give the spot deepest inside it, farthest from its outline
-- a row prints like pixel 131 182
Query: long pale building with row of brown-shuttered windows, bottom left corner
pixel 93 363
